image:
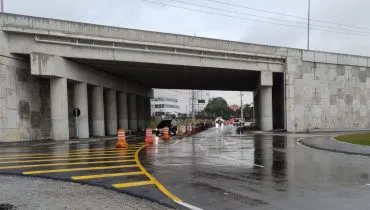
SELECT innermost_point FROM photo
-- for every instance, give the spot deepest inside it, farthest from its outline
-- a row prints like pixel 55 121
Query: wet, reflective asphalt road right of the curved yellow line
pixel 219 169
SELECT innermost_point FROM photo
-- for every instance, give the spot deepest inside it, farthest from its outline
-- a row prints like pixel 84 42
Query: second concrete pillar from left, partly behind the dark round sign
pixel 80 101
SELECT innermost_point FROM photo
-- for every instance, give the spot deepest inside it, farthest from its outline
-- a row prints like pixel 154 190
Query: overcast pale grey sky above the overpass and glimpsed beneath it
pixel 270 22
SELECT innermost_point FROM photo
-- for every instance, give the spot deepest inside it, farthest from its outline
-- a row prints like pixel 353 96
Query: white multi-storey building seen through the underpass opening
pixel 164 106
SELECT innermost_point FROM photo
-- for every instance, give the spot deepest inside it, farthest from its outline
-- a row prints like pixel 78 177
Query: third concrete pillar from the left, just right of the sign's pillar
pixel 97 112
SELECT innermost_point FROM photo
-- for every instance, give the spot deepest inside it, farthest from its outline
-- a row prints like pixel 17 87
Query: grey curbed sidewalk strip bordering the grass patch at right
pixel 330 144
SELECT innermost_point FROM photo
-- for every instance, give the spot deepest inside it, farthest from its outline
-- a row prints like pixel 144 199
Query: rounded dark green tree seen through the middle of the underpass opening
pixel 217 107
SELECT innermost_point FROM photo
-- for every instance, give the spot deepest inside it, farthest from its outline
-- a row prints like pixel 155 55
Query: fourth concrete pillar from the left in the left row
pixel 111 112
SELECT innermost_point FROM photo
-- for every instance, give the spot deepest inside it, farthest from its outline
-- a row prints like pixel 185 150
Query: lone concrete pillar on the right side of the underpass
pixel 265 108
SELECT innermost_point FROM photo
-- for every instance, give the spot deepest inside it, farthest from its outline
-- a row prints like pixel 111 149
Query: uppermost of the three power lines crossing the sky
pixel 278 13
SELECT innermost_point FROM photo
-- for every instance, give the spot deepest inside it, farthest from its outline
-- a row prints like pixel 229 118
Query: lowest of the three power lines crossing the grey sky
pixel 236 17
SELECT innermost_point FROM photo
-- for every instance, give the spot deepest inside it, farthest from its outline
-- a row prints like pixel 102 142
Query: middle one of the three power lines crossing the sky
pixel 259 16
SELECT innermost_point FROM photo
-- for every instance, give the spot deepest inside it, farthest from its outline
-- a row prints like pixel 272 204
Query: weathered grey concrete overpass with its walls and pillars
pixel 50 66
